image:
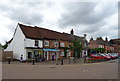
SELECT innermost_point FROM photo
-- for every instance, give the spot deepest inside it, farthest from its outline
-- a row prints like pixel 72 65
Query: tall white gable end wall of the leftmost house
pixel 18 45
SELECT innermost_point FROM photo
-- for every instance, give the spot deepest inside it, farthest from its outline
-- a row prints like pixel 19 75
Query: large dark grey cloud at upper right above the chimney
pixel 86 13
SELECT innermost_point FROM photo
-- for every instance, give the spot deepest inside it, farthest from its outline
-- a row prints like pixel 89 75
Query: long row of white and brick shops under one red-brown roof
pixel 34 42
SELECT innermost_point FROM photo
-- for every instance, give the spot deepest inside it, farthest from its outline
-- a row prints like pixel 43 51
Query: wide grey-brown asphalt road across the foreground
pixel 103 70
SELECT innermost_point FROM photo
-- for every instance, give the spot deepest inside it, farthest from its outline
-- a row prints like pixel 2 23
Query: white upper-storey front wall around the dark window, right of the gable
pixel 31 43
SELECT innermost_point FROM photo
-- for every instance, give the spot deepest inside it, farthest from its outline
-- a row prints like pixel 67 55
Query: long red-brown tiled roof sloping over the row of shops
pixel 42 33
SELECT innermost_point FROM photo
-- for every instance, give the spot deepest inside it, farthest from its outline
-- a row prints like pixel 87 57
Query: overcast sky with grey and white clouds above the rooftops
pixel 96 19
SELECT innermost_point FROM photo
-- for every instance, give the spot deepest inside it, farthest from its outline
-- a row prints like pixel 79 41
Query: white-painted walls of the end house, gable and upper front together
pixel 19 43
